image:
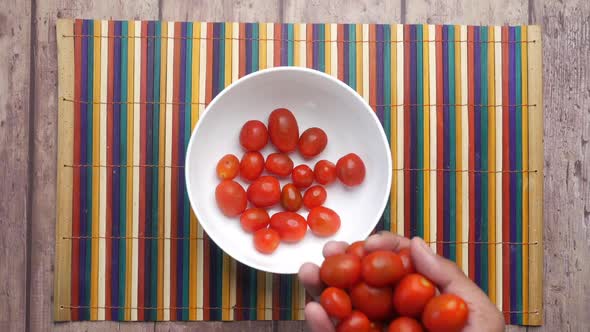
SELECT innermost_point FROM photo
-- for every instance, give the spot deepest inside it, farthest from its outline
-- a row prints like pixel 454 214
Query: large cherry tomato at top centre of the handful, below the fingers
pixel 381 268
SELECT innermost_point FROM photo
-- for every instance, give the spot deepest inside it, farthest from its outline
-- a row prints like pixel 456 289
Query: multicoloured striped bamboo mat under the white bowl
pixel 461 106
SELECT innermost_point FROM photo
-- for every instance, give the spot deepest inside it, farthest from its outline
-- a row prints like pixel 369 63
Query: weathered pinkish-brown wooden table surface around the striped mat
pixel 28 117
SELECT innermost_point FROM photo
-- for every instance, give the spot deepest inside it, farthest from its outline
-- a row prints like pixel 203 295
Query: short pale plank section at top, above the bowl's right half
pixel 342 11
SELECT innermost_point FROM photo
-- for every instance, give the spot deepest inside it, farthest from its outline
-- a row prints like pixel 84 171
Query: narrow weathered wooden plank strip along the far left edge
pixel 15 63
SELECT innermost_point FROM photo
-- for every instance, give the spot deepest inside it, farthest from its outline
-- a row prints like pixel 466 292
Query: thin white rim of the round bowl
pixel 367 108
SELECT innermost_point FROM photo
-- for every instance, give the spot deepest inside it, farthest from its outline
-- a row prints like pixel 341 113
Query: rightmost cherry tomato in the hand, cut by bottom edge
pixel 446 312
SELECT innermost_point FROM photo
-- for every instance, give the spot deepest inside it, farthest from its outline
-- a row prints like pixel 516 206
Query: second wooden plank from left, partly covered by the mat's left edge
pixel 45 149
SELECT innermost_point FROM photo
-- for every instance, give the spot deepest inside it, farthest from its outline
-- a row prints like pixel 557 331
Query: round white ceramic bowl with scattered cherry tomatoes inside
pixel 317 100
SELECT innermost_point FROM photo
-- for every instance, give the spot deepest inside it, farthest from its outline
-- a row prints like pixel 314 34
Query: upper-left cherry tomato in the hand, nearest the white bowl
pixel 342 270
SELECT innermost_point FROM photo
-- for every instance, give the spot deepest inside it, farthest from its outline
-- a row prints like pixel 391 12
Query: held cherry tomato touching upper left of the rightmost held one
pixel 411 295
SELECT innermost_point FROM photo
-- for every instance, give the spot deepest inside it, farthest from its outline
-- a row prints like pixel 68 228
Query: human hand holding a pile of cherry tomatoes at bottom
pixel 445 274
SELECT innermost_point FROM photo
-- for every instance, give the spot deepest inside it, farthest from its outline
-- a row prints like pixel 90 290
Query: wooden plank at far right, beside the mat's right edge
pixel 566 64
